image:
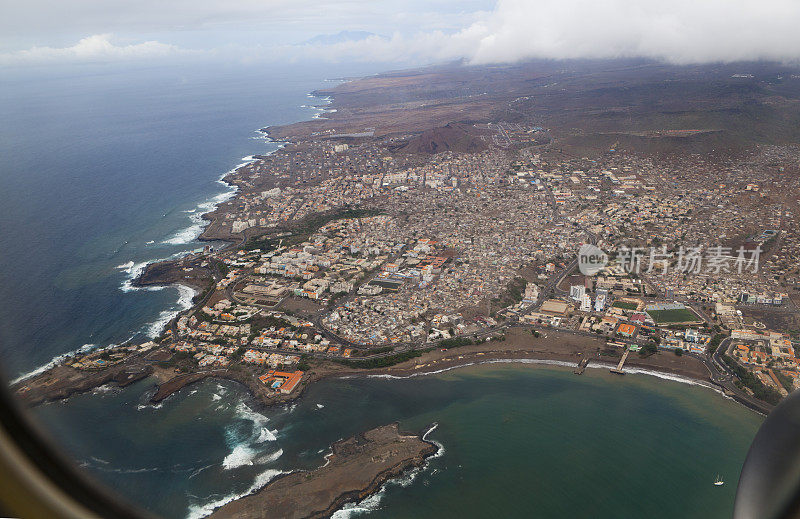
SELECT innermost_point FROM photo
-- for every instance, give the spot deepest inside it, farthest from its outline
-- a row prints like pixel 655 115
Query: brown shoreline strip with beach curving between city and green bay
pixel 686 370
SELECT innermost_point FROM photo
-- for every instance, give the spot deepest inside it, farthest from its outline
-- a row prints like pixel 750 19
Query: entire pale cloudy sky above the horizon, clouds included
pixel 37 32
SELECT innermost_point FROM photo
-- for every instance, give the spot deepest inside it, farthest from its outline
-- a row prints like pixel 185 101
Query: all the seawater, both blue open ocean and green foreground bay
pixel 107 168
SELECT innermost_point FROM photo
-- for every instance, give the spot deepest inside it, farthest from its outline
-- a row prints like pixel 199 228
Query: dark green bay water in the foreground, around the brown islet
pixel 518 441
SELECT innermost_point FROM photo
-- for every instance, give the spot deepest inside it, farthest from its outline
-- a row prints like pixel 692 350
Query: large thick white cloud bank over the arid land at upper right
pixel 679 31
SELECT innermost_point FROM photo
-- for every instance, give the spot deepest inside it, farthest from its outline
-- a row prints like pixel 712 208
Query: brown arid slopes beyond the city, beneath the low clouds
pixel 639 105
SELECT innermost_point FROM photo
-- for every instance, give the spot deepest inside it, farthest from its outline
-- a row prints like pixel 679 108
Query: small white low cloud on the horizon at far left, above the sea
pixel 98 47
